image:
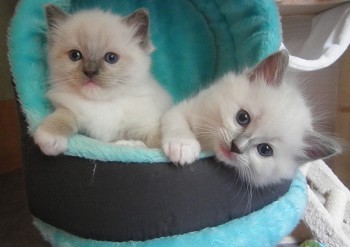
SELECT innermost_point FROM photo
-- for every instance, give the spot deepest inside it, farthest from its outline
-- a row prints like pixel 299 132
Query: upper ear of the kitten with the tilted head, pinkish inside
pixel 271 69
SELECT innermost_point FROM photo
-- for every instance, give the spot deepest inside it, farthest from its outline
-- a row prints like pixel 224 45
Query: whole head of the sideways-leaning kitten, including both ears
pixel 265 124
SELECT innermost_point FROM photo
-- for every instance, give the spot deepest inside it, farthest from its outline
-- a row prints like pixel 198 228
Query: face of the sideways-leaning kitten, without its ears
pixel 262 131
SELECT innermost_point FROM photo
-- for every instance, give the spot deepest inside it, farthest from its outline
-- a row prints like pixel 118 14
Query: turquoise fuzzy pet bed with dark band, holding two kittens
pixel 98 194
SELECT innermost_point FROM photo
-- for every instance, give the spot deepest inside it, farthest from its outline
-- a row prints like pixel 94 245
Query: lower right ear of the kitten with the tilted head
pixel 318 147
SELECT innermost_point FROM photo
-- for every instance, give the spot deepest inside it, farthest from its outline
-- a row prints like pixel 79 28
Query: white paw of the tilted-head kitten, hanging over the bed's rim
pixel 182 151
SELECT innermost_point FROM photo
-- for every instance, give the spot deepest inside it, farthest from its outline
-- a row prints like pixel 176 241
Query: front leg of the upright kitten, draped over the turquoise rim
pixel 53 133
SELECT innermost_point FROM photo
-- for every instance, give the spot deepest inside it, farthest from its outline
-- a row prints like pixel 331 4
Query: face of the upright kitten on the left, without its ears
pixel 96 54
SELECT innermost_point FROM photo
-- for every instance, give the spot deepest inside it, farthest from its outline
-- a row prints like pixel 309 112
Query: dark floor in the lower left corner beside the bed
pixel 16 229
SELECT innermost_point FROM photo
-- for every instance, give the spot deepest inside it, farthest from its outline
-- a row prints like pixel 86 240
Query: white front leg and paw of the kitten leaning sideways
pixel 179 143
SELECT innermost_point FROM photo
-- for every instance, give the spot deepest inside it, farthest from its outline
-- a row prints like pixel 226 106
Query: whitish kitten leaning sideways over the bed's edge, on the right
pixel 253 121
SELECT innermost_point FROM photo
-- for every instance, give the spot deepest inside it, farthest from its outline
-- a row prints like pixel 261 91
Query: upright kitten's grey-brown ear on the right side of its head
pixel 139 21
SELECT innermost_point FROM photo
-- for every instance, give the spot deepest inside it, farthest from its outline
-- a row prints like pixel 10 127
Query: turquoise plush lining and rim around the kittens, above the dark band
pixel 196 42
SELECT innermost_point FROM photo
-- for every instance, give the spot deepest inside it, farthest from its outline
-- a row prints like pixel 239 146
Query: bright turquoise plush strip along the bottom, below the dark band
pixel 265 227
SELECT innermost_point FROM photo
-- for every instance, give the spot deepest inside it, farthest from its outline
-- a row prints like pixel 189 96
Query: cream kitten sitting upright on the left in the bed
pixel 100 81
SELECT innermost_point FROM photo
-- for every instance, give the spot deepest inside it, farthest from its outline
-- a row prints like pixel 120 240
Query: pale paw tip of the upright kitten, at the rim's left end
pixel 49 143
